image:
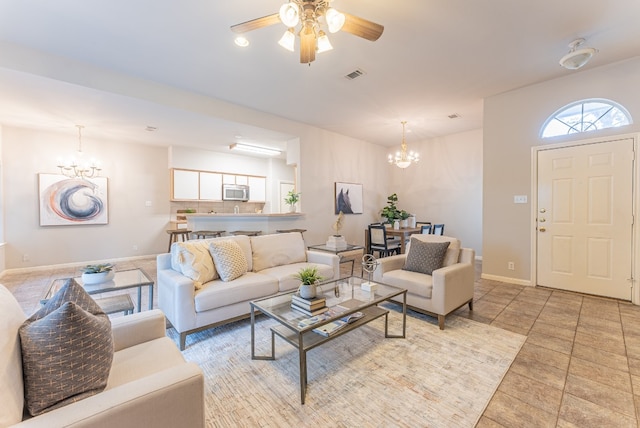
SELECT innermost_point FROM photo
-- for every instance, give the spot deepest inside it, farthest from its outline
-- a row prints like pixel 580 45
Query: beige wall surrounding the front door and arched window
pixel 512 123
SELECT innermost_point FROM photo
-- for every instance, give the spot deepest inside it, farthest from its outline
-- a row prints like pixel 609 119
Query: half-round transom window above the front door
pixel 585 116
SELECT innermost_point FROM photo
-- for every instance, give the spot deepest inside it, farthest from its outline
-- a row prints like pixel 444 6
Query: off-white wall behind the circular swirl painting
pixel 136 174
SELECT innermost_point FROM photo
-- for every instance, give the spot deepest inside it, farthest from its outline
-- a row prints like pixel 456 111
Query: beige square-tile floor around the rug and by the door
pixel 580 365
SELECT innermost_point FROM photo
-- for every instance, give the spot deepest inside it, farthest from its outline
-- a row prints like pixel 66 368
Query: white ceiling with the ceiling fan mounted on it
pixel 435 58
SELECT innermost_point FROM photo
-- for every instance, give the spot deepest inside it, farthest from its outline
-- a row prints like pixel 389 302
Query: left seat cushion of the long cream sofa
pixel 250 286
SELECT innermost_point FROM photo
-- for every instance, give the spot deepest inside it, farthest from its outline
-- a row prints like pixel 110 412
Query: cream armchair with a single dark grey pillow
pixel 440 293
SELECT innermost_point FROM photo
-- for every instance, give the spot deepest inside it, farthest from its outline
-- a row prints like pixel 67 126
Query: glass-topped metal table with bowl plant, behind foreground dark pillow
pixel 133 278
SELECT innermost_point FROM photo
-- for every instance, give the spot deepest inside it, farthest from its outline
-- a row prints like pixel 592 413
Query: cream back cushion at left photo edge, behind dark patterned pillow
pixel 12 392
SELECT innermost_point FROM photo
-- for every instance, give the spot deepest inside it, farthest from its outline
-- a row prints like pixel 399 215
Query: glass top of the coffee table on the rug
pixel 345 292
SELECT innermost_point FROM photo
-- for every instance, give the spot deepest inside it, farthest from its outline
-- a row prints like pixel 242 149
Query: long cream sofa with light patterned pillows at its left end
pixel 193 302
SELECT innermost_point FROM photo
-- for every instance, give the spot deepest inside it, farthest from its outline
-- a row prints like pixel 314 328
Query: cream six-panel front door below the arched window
pixel 584 218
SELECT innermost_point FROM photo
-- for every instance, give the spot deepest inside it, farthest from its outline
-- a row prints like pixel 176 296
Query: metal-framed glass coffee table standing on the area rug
pixel 345 293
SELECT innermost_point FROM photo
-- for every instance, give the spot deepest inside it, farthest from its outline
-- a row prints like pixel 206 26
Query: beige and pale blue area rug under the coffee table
pixel 432 378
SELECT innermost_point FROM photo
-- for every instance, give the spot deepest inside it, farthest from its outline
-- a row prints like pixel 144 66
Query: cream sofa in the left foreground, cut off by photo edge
pixel 150 383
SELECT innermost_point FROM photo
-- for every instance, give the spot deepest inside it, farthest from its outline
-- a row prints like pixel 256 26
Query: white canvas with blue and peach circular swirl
pixel 72 201
